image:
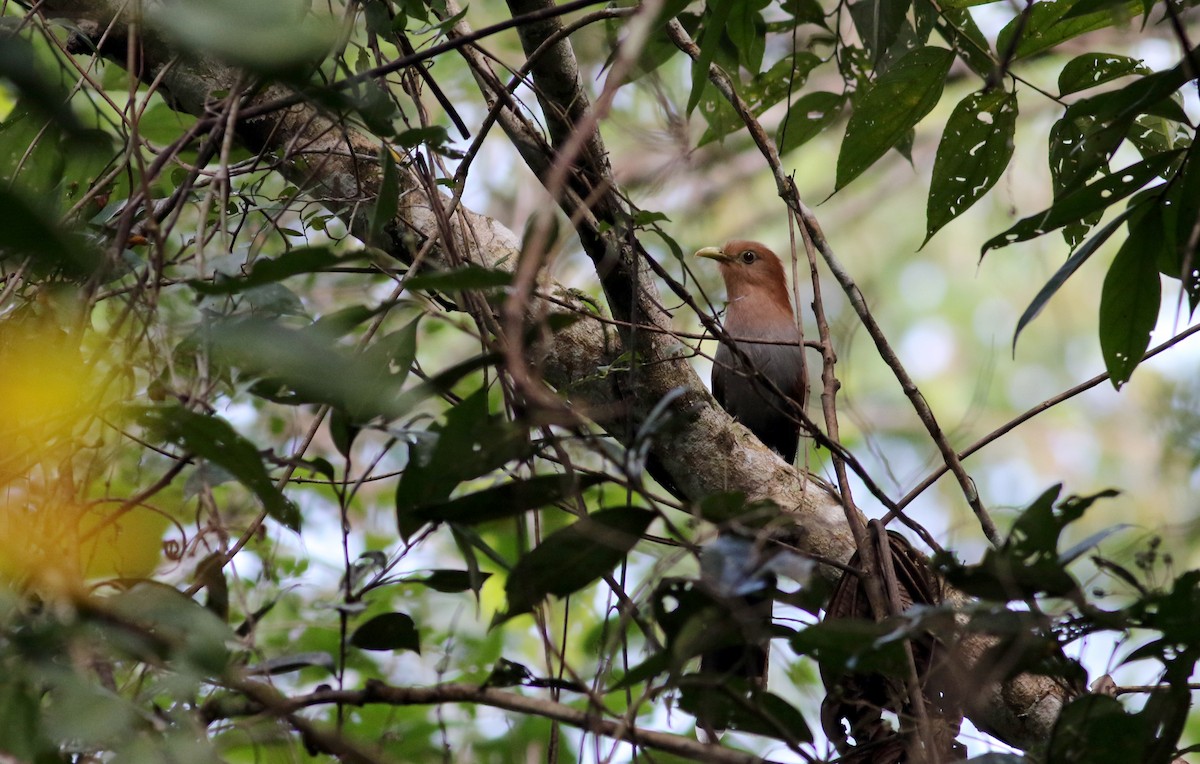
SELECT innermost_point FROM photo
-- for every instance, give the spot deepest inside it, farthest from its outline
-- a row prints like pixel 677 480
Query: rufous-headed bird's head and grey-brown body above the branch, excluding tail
pixel 760 310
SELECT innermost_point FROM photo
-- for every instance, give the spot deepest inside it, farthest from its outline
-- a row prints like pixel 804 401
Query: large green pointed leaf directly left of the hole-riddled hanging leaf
pixel 898 100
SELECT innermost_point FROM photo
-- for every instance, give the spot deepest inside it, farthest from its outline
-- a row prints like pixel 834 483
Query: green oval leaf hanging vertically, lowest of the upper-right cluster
pixel 1130 305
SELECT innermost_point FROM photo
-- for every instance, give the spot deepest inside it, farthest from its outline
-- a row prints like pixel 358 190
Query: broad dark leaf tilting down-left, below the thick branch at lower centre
pixel 572 558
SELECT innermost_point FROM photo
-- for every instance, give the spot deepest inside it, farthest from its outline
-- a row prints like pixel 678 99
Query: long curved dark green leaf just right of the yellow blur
pixel 212 438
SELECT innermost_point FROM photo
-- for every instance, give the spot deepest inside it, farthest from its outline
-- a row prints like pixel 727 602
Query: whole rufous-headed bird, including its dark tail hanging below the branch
pixel 764 388
